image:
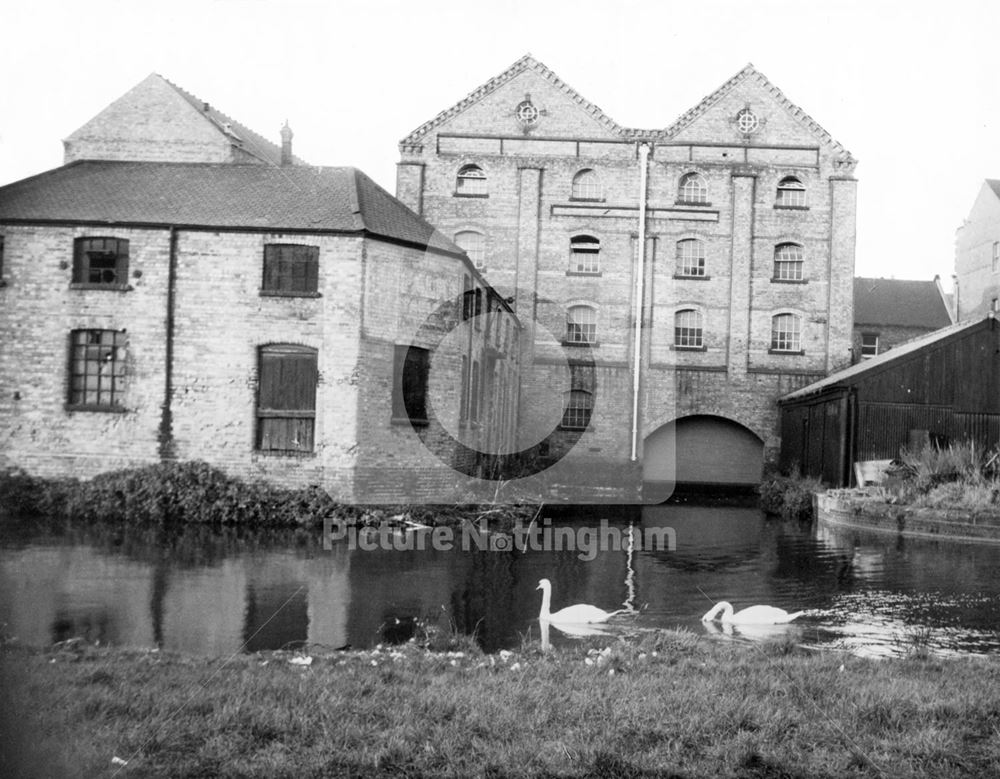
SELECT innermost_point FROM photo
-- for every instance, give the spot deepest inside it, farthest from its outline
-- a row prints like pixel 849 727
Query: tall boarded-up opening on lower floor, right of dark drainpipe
pixel 286 398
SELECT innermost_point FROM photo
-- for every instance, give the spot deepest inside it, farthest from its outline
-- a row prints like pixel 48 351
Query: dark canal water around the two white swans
pixel 214 593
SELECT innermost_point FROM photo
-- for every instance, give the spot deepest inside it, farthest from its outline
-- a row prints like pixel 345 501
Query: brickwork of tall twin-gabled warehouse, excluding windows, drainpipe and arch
pixel 528 217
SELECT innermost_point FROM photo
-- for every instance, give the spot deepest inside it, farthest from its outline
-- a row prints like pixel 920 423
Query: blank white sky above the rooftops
pixel 910 88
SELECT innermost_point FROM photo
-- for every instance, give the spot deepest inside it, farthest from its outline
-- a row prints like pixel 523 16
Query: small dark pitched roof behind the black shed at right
pixel 899 303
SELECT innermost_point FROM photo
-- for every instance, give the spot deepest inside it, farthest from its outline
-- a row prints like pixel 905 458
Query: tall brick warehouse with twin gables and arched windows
pixel 741 217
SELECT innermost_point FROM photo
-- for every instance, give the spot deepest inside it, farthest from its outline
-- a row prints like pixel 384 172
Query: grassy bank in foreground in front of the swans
pixel 665 704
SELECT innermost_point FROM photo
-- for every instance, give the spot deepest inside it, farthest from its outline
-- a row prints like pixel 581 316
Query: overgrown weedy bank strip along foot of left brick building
pixel 195 492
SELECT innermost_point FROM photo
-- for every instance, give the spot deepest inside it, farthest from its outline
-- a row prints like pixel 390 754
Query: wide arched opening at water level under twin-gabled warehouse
pixel 701 451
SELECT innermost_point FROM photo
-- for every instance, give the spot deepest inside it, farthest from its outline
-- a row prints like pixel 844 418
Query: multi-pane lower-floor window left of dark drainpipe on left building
pixel 97 369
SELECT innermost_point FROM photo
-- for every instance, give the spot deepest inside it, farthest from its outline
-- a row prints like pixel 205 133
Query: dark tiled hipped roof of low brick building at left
pixel 222 195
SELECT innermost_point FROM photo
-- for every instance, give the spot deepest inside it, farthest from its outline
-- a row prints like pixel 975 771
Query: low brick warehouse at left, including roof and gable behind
pixel 278 321
